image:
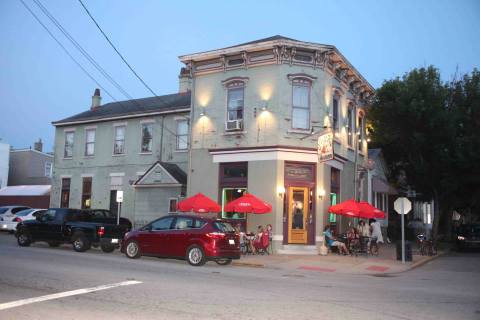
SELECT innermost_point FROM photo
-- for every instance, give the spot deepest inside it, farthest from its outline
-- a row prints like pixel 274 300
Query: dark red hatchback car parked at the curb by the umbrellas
pixel 195 239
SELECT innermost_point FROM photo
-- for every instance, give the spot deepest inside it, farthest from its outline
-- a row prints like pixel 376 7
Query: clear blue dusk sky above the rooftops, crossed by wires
pixel 39 83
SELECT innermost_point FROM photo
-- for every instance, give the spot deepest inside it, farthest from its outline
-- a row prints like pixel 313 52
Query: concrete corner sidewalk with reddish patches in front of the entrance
pixel 384 263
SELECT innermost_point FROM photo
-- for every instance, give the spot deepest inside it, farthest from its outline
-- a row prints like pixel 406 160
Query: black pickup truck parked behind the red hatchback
pixel 81 228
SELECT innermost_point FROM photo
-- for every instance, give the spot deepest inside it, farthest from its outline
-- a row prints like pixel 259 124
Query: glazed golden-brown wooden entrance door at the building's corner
pixel 297 215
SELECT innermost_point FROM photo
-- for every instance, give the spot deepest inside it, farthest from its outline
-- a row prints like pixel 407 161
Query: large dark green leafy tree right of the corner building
pixel 429 133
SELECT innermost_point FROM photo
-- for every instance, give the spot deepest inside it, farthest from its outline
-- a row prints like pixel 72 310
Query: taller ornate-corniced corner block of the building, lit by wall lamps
pixel 257 112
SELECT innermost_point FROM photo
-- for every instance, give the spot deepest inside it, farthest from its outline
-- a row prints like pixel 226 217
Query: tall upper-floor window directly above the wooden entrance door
pixel 301 104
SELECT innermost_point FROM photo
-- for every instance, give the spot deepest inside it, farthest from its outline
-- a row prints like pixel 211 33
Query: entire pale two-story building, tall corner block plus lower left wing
pixel 247 119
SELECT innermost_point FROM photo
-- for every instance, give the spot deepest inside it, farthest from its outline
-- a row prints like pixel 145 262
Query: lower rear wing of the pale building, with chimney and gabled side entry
pixel 138 146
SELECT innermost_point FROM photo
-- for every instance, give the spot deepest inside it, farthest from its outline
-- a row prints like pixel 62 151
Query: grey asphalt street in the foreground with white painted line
pixel 446 288
